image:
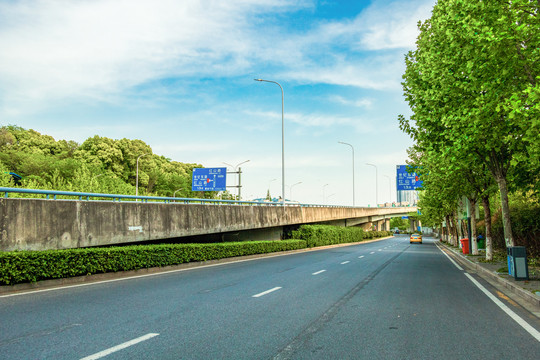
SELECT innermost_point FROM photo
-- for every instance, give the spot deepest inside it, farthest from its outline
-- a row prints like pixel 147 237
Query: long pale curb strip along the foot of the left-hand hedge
pixel 6 290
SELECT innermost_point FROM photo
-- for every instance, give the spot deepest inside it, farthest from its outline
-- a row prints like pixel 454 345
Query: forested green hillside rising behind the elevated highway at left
pixel 99 164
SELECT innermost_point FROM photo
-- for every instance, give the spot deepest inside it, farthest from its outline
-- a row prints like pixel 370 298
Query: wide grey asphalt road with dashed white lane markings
pixel 381 300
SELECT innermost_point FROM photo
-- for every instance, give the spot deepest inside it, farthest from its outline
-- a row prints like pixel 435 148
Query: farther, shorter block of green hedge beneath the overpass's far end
pixel 321 235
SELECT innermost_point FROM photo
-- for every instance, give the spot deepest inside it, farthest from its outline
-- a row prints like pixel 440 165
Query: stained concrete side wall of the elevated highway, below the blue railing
pixel 35 224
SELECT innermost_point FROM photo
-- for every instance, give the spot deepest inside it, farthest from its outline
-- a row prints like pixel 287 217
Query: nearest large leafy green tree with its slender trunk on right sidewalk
pixel 471 57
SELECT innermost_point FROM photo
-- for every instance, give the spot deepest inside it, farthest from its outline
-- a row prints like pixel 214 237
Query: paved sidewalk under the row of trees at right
pixel 519 290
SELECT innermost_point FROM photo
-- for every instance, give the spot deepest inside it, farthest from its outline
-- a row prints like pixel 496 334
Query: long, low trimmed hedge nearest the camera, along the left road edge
pixel 30 266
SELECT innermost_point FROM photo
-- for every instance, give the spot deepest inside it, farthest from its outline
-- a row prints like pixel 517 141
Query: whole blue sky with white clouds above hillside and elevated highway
pixel 179 76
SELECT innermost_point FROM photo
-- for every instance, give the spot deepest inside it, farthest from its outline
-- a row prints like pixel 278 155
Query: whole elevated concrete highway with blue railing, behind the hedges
pixel 85 220
